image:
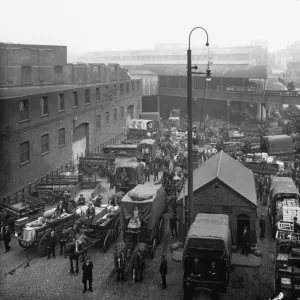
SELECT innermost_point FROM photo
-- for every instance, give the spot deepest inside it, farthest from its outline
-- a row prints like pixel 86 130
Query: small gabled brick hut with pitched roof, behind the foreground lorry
pixel 222 185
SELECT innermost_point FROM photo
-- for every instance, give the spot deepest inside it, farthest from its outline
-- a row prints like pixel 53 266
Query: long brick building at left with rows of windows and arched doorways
pixel 51 112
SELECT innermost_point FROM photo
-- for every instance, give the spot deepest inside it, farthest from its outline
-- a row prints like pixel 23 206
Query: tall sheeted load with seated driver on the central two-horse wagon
pixel 148 211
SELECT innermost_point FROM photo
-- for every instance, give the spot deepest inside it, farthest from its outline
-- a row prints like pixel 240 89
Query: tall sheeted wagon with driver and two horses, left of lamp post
pixel 142 223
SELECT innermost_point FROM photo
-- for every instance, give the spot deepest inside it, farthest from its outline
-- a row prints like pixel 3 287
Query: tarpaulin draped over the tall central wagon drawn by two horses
pixel 150 210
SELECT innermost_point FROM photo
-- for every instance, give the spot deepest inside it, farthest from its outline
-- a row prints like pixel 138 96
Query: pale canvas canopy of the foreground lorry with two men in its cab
pixel 210 231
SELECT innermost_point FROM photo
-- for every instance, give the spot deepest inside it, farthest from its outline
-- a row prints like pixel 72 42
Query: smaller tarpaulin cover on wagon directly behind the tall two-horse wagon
pixel 133 169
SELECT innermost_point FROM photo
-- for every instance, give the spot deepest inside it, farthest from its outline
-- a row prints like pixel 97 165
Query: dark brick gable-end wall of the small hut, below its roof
pixel 213 200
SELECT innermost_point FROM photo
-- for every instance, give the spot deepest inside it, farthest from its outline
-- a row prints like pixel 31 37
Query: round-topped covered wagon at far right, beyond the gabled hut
pixel 277 145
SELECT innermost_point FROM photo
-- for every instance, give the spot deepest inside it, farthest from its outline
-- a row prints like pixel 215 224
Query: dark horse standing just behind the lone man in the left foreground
pixel 75 250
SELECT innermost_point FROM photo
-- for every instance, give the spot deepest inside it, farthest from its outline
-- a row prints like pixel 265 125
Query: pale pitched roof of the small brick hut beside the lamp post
pixel 230 172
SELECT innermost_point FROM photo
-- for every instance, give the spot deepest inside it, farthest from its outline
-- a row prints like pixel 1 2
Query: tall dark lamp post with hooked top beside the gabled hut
pixel 190 122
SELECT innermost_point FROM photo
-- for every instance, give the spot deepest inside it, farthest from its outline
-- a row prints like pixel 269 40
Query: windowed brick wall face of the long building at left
pixel 36 126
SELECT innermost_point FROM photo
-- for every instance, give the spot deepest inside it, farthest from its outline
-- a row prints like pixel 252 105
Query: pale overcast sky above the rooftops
pixel 90 25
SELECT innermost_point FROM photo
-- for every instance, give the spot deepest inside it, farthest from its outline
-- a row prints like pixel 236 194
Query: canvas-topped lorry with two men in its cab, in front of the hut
pixel 207 254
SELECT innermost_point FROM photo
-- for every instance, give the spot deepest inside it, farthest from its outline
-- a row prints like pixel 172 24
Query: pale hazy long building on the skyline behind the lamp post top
pixel 175 54
